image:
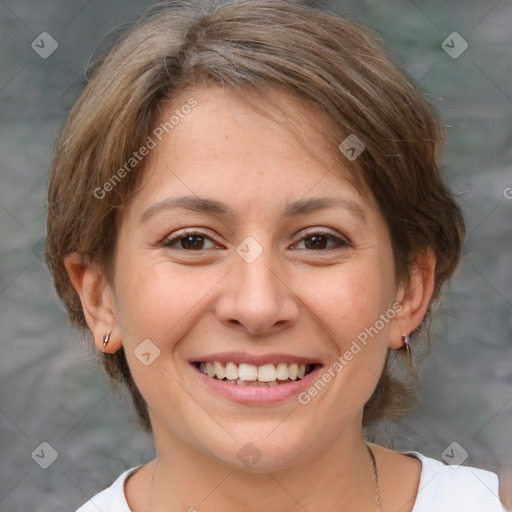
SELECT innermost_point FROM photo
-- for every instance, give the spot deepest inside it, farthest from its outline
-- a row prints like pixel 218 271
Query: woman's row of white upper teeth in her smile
pixel 251 372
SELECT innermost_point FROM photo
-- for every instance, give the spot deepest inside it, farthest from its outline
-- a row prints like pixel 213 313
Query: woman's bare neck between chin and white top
pixel 341 477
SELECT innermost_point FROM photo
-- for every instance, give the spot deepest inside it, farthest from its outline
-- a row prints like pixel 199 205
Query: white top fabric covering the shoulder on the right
pixel 445 488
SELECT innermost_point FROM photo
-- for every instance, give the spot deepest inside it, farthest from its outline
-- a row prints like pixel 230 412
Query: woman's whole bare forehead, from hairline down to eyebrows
pixel 241 146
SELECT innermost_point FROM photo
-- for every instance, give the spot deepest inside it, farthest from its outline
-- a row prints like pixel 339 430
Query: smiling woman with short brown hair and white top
pixel 245 210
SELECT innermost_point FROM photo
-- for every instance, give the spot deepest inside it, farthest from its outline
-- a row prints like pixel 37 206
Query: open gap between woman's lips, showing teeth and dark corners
pixel 251 375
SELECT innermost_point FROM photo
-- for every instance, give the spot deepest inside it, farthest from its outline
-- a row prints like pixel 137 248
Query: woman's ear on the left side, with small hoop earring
pixel 97 299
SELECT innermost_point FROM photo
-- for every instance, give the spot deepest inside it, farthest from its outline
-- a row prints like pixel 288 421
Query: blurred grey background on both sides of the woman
pixel 52 388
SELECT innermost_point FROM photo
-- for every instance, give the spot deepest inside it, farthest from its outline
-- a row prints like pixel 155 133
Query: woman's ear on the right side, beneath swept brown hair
pixel 414 297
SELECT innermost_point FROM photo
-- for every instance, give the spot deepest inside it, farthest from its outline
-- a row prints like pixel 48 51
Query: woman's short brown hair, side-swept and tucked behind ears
pixel 329 62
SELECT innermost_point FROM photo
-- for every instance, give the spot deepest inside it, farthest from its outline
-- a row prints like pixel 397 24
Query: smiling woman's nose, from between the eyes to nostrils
pixel 255 296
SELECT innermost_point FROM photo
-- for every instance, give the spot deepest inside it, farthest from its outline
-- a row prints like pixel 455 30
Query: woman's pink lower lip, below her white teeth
pixel 257 395
